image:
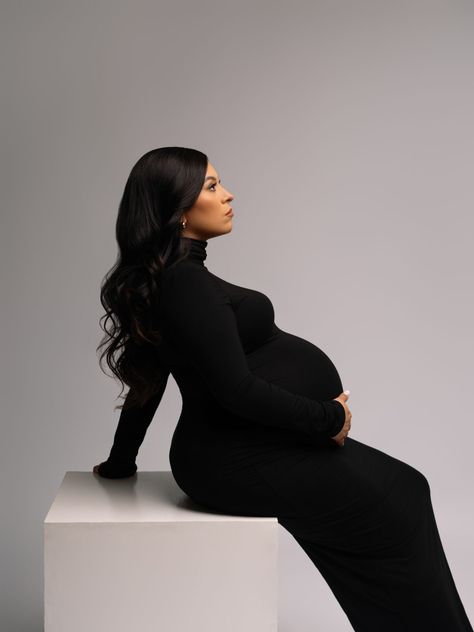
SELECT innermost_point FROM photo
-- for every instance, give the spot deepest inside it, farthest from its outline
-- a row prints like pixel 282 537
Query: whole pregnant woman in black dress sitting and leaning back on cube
pixel 264 422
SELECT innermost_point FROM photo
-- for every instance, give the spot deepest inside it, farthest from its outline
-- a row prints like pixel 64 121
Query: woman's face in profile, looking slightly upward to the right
pixel 208 216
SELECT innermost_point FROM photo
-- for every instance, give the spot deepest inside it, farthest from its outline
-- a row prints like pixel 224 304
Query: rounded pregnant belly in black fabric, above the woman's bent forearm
pixel 297 365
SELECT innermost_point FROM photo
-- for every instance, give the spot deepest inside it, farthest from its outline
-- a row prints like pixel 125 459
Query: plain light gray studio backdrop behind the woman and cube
pixel 344 131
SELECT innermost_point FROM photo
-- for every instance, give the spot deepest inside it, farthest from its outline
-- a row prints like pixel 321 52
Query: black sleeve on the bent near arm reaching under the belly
pixel 202 323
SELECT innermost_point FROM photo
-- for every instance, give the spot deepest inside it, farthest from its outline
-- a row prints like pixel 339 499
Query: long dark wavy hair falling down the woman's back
pixel 162 184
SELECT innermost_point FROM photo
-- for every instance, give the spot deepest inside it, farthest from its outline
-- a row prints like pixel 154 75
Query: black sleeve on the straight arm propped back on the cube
pixel 131 430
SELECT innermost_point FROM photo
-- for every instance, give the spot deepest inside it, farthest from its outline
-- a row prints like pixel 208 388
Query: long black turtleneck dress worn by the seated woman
pixel 254 438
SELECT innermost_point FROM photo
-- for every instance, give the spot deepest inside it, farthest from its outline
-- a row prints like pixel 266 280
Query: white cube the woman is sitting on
pixel 136 554
